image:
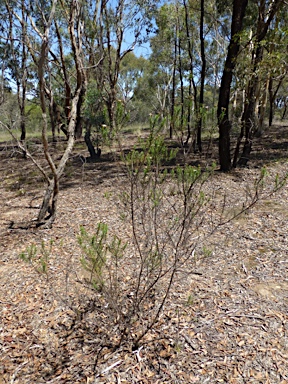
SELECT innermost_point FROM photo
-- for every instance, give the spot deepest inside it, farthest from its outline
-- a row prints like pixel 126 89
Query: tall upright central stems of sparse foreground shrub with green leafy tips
pixel 164 205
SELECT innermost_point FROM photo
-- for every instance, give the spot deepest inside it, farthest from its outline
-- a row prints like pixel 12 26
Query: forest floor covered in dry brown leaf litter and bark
pixel 225 323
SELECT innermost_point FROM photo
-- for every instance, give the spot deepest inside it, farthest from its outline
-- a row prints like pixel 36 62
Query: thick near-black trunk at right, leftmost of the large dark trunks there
pixel 224 124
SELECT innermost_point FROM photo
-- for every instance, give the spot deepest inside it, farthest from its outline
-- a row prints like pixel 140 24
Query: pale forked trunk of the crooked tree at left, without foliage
pixel 44 62
